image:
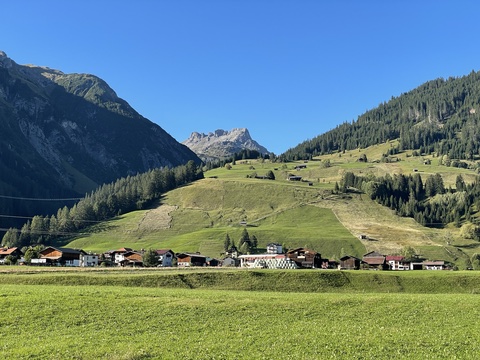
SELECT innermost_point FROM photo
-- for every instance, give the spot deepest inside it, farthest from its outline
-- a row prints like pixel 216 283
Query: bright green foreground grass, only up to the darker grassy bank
pixel 91 322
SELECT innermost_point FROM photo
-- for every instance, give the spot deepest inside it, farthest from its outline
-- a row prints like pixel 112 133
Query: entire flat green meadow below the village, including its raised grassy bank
pixel 118 319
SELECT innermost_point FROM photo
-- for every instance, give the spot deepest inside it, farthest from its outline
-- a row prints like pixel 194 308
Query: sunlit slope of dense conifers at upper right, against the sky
pixel 439 116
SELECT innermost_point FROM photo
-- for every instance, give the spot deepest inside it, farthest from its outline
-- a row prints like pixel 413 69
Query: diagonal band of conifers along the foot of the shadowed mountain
pixel 110 200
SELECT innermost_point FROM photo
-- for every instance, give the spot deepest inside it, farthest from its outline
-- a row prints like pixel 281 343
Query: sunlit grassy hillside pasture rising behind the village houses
pixel 197 217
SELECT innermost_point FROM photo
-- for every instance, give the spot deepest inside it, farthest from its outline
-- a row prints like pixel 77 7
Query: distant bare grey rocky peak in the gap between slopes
pixel 222 144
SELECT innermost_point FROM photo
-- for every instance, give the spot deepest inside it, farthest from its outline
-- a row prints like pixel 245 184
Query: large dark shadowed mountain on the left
pixel 63 135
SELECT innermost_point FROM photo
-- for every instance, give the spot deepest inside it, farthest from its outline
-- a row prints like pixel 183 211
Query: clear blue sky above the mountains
pixel 287 70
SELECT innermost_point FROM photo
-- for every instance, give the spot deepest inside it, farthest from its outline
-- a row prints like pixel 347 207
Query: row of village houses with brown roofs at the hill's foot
pixel 274 258
